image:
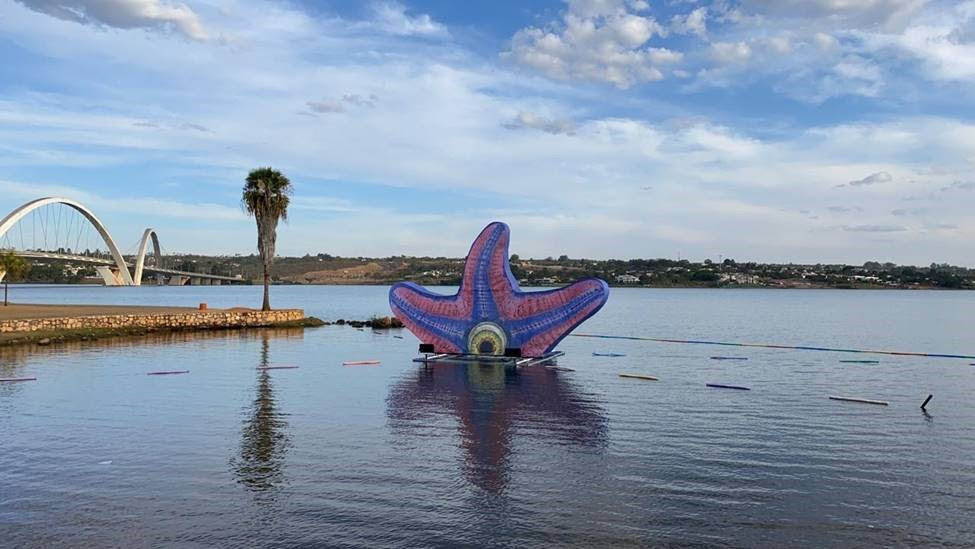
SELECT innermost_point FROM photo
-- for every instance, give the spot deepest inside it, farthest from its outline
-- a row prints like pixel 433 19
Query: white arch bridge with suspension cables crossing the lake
pixel 115 270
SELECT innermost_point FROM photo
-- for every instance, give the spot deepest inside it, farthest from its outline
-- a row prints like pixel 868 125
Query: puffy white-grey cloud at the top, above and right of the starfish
pixel 600 40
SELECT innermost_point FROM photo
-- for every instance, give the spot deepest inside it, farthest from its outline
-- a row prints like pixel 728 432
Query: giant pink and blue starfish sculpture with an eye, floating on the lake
pixel 490 314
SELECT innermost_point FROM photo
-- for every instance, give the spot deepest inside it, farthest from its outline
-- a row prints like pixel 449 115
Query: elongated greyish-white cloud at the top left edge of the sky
pixel 125 14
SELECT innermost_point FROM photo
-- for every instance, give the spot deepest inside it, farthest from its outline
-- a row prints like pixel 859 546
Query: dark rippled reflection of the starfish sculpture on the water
pixel 493 405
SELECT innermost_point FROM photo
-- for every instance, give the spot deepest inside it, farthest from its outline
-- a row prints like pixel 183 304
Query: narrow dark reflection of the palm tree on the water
pixel 264 438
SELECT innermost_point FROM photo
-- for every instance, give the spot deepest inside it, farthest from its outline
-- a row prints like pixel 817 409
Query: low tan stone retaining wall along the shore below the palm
pixel 202 319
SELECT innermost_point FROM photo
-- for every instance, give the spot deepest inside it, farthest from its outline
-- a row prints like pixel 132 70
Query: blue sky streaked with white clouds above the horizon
pixel 761 130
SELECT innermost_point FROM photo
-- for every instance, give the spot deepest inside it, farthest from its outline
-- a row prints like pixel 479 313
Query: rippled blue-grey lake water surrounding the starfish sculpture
pixel 96 453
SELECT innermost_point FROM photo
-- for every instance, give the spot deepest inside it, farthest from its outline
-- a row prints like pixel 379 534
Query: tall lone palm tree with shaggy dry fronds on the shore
pixel 266 197
